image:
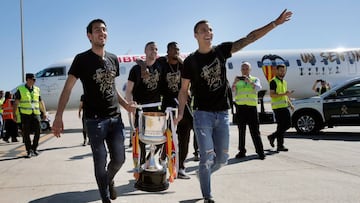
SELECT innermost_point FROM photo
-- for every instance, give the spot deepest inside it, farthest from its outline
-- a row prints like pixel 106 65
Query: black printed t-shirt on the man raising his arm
pixel 207 74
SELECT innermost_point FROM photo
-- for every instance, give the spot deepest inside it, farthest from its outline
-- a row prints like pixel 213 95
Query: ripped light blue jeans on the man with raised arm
pixel 212 134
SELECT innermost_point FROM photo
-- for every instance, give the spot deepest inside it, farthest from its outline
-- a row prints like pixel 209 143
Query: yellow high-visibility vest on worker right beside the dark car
pixel 279 102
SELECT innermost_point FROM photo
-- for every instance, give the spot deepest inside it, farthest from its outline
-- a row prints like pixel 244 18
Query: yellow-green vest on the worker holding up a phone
pixel 245 93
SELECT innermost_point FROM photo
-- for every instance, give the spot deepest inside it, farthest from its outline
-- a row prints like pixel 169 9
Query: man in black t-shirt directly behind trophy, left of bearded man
pixel 143 86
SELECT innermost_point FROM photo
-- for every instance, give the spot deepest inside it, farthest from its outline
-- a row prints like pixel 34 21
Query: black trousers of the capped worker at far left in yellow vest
pixel 30 124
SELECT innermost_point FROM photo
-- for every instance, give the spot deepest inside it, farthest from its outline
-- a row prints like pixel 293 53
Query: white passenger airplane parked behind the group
pixel 303 68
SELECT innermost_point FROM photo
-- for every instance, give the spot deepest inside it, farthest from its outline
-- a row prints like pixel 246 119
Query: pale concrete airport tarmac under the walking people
pixel 317 168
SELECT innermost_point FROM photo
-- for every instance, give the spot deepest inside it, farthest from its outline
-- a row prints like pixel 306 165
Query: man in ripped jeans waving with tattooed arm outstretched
pixel 205 70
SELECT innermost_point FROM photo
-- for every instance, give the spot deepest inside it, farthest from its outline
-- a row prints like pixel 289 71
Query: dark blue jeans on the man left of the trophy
pixel 109 130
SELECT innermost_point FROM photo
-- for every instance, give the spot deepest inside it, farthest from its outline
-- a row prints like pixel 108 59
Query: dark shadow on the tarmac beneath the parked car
pixel 344 136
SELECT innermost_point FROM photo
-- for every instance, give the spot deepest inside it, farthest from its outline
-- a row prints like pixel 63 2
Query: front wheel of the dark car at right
pixel 307 123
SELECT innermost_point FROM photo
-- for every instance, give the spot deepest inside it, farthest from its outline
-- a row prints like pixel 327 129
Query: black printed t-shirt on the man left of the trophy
pixel 97 75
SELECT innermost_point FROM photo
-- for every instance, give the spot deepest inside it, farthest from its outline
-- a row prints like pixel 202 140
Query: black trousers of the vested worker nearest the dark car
pixel 283 121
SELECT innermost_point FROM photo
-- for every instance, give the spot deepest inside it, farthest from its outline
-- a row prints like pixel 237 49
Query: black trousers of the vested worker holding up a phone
pixel 247 115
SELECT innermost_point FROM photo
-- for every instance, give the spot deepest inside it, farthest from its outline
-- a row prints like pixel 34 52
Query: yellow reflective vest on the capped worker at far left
pixel 29 102
